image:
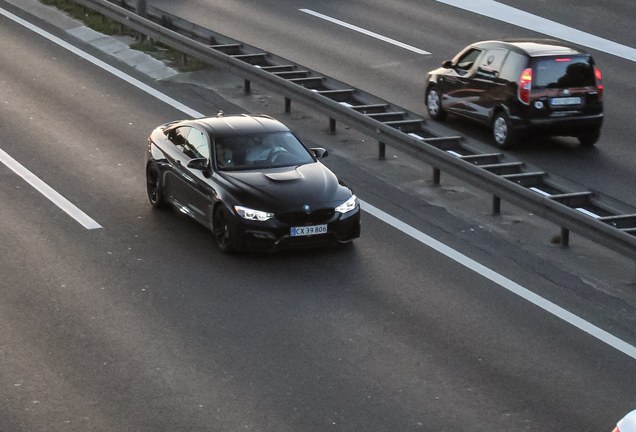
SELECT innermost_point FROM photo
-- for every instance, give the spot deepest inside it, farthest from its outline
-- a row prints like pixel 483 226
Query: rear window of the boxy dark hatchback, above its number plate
pixel 564 72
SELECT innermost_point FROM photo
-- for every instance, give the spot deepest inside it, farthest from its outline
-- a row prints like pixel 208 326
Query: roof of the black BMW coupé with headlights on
pixel 224 126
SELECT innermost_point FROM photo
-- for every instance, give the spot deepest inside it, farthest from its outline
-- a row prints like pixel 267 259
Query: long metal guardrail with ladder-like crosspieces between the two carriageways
pixel 589 214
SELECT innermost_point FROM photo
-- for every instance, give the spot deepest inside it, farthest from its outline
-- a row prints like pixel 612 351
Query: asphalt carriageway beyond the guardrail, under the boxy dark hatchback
pixel 398 75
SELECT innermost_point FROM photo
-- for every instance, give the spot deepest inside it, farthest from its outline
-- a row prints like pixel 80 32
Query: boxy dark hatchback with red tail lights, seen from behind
pixel 519 88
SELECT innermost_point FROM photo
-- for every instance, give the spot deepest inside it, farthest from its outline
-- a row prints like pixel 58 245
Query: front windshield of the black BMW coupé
pixel 260 151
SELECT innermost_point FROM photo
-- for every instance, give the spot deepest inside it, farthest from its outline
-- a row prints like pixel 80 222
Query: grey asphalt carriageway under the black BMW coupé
pixel 142 325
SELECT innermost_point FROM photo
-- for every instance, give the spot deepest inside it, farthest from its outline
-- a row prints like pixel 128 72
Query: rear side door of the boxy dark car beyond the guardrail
pixel 490 89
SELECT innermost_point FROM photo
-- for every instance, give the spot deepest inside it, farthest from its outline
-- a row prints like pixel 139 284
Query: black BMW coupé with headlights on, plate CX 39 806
pixel 251 181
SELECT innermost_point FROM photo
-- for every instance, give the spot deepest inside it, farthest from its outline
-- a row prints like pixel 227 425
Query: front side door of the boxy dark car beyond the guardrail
pixel 457 86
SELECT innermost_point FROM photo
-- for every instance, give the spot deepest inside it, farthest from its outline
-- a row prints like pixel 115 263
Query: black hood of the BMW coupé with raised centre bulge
pixel 288 188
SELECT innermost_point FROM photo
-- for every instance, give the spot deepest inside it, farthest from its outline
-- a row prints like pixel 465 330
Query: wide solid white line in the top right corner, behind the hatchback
pixel 502 12
